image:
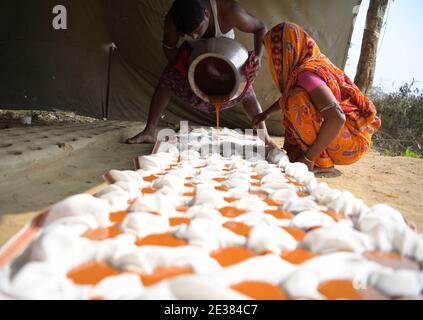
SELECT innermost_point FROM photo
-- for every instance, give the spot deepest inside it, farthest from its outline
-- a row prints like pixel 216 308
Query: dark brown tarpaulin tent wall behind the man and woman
pixel 44 69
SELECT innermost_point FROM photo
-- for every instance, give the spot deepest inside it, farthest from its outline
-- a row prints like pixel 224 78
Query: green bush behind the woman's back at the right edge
pixel 401 112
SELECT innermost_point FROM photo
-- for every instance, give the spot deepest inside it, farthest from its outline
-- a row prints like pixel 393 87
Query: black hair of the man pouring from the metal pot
pixel 187 15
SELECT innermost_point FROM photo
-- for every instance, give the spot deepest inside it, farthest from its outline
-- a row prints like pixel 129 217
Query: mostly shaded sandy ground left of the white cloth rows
pixel 39 187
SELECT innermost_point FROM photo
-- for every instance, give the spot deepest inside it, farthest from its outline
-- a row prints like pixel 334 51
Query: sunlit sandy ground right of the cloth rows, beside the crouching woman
pixel 395 181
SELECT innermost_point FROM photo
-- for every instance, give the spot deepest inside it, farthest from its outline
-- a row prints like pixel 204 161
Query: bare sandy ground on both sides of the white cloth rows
pixel 376 179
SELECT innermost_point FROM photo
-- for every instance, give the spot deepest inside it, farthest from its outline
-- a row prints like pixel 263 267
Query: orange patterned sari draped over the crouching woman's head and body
pixel 292 51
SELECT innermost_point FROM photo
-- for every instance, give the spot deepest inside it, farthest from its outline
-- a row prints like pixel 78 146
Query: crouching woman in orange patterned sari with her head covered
pixel 327 120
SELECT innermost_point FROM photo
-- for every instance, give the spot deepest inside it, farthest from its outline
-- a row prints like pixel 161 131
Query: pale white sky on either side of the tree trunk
pixel 400 57
